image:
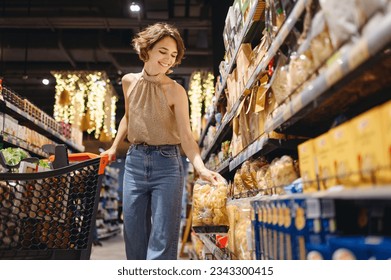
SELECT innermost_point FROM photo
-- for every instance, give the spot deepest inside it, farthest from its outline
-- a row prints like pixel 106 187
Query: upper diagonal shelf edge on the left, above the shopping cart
pixel 13 110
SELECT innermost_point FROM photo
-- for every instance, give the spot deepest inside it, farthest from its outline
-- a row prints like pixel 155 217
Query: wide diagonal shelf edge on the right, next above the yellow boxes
pixel 365 48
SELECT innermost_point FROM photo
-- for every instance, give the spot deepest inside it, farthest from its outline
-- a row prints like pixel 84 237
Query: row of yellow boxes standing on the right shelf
pixel 355 153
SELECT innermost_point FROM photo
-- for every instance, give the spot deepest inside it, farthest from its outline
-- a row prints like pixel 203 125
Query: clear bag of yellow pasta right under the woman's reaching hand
pixel 209 204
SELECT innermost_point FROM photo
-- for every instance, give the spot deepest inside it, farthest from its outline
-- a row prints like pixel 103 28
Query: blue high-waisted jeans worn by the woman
pixel 152 202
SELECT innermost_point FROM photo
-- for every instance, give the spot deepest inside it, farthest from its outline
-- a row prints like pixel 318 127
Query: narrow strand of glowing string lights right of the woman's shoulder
pixel 201 91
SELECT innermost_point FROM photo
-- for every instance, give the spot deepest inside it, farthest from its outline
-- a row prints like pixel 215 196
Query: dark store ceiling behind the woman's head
pixel 38 36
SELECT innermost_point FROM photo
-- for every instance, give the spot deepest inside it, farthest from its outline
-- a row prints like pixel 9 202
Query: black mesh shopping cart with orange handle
pixel 51 214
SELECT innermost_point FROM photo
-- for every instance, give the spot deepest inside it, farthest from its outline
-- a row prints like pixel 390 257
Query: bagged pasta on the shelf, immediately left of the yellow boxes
pixel 283 171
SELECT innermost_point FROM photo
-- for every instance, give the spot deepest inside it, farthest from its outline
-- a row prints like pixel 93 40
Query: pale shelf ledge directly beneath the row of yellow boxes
pixel 359 192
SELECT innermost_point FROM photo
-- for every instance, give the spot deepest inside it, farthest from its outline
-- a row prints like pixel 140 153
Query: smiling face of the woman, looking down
pixel 162 56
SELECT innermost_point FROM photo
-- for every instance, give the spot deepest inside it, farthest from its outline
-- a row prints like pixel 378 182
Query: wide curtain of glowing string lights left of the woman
pixel 86 97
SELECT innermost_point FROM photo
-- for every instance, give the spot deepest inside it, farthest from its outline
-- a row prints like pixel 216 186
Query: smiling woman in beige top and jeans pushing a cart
pixel 156 122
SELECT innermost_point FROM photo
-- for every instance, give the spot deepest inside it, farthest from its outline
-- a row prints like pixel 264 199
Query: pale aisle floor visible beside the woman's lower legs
pixel 112 248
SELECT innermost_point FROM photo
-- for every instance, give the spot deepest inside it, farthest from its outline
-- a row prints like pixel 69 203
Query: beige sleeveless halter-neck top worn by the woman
pixel 150 119
